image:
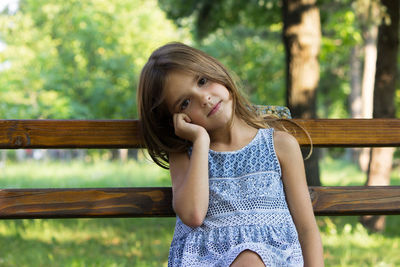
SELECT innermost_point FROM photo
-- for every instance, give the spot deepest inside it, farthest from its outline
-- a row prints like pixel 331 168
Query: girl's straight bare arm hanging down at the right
pixel 298 197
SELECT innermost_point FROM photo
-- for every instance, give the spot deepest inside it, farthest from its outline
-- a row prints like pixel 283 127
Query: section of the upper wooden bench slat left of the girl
pixel 69 134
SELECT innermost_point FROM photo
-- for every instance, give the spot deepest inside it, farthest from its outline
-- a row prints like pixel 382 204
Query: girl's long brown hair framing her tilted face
pixel 155 119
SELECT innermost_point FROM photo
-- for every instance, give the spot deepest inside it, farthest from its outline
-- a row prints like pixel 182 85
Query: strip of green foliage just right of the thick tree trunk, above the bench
pixel 341 39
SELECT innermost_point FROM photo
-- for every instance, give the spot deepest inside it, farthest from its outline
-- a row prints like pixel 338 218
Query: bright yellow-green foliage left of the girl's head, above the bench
pixel 77 59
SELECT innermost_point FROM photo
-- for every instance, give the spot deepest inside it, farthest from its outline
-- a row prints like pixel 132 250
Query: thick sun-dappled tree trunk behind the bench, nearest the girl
pixel 302 38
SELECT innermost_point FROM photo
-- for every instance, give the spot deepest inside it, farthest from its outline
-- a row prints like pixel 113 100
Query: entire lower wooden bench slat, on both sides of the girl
pixel 156 202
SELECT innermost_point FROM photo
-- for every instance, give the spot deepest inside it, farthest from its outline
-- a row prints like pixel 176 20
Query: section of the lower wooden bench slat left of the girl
pixel 85 203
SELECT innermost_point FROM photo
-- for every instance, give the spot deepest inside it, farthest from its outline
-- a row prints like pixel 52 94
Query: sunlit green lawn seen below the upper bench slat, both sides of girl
pixel 145 242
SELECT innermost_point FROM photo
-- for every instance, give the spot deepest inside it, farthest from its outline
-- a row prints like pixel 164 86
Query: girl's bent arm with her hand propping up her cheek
pixel 189 176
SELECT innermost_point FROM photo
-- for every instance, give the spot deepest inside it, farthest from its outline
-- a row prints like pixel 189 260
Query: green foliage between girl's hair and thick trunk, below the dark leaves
pixel 256 57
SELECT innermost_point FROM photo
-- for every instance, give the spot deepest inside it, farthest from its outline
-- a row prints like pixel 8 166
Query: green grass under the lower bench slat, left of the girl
pixel 85 242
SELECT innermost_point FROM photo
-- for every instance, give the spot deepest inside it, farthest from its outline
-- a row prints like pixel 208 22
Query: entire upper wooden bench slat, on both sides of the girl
pixel 125 133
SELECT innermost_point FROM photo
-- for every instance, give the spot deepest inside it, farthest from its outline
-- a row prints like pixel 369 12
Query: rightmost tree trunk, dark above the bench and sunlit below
pixel 385 85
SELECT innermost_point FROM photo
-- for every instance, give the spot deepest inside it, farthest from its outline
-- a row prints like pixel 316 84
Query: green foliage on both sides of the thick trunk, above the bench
pixel 246 36
